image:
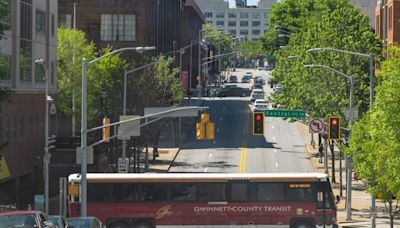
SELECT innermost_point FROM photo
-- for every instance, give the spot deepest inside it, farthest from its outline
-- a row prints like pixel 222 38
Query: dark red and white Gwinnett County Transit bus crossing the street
pixel 148 200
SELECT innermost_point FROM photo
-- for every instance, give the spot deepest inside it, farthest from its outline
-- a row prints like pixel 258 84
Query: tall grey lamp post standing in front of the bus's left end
pixel 84 132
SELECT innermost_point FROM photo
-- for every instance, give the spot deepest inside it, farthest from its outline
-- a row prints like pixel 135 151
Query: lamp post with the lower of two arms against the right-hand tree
pixel 348 158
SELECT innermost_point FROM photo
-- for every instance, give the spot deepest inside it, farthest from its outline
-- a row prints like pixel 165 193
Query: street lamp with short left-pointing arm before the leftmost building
pixel 46 158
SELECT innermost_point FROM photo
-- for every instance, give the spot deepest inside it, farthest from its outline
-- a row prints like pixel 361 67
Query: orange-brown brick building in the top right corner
pixel 387 19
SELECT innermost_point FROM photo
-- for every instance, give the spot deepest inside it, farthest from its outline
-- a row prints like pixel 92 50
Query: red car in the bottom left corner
pixel 26 219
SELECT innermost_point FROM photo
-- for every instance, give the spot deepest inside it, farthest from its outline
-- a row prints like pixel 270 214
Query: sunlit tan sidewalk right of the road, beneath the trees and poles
pixel 361 200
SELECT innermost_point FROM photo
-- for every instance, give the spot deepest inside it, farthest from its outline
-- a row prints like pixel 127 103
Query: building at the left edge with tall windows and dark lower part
pixel 22 121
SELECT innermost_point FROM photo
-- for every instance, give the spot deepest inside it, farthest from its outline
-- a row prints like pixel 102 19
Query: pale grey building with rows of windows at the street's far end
pixel 248 21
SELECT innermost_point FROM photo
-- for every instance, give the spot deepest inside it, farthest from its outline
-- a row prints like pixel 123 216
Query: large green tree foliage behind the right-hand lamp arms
pixel 336 24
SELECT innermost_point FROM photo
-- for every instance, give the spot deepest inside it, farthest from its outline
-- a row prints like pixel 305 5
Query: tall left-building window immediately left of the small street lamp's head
pixel 25 60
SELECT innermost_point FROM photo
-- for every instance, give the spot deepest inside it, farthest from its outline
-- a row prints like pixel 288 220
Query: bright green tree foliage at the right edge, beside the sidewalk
pixel 375 141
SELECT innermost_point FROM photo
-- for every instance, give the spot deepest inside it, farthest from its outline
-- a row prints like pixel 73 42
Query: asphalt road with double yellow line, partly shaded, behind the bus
pixel 235 149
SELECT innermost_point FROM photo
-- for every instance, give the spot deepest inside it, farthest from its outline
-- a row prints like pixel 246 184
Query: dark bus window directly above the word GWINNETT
pixel 211 192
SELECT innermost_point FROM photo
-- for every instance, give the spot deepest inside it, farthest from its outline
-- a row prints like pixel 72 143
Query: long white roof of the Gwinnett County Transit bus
pixel 198 177
